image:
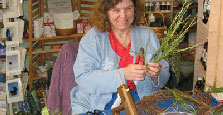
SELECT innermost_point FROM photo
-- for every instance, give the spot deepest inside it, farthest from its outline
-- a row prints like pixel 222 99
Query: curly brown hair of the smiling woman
pixel 99 17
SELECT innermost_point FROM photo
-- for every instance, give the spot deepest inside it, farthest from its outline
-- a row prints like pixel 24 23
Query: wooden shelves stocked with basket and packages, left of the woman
pixel 38 56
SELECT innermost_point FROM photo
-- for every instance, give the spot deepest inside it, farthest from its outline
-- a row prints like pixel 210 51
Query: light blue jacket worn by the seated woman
pixel 96 66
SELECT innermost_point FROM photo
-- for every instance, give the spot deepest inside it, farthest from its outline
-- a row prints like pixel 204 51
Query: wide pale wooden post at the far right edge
pixel 214 74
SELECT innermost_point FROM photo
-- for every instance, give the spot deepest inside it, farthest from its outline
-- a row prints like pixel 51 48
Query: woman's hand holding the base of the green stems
pixel 153 69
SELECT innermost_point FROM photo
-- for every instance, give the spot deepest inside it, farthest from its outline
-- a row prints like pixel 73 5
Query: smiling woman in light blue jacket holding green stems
pixel 111 46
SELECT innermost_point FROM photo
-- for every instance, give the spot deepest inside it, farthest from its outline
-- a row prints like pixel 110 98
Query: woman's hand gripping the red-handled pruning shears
pixel 136 72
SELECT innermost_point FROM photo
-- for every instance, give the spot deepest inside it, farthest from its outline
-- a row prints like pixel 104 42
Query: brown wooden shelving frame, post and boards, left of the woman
pixel 37 58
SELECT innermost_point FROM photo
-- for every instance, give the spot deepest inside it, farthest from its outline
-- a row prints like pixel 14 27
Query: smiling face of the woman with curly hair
pixel 121 15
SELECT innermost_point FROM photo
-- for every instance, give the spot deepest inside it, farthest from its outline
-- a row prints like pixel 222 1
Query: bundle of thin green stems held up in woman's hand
pixel 170 43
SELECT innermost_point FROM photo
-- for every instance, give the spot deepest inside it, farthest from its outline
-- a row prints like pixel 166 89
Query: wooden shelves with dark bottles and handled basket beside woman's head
pixel 159 13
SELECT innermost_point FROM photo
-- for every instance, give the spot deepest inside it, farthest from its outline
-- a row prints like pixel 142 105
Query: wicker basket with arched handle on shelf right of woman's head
pixel 158 30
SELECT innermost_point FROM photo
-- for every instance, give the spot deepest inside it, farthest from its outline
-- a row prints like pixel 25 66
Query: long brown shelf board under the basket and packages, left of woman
pixel 55 37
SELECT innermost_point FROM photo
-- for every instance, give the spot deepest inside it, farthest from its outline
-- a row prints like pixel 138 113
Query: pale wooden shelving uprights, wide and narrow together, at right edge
pixel 213 31
